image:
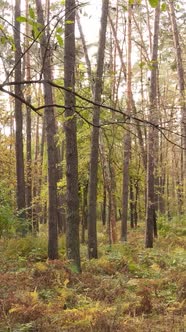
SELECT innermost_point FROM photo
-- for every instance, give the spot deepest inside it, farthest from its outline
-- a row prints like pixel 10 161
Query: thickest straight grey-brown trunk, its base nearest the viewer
pixel 72 222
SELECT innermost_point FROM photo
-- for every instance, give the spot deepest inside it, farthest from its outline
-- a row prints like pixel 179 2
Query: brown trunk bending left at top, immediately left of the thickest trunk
pixel 51 145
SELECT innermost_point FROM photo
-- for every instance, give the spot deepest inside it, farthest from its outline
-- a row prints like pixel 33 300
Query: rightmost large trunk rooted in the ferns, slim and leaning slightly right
pixel 151 227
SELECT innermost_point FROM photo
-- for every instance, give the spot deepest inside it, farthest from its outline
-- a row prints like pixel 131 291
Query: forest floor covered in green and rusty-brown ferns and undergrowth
pixel 128 288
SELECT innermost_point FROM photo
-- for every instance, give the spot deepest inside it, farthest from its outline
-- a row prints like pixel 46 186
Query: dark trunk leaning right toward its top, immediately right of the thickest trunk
pixel 92 196
